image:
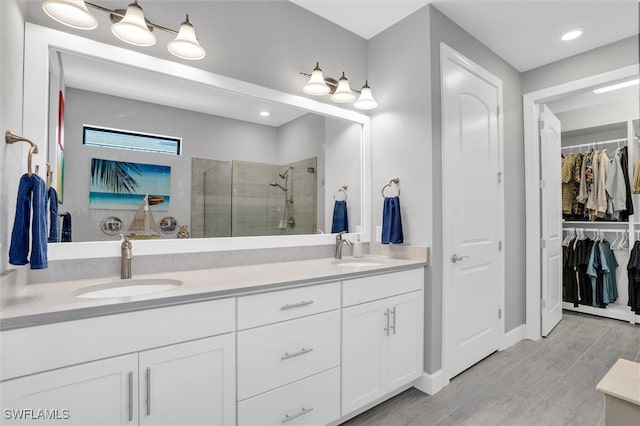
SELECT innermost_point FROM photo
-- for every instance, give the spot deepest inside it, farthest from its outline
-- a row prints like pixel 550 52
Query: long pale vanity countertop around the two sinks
pixel 53 302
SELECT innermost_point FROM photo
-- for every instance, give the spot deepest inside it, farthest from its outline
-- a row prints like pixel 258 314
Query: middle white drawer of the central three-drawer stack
pixel 282 353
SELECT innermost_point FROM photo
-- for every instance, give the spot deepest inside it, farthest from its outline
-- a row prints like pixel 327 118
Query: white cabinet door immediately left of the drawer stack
pixel 190 383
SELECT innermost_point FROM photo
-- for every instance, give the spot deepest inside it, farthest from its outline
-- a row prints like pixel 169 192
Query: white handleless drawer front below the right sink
pixel 366 289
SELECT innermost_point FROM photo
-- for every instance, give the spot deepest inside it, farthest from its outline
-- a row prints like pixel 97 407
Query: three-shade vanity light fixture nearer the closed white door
pixel 340 90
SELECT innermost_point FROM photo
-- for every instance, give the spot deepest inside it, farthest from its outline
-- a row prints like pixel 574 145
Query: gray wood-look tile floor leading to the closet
pixel 548 382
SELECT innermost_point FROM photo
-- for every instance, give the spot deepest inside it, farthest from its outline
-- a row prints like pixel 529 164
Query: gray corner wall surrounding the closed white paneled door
pixel 406 143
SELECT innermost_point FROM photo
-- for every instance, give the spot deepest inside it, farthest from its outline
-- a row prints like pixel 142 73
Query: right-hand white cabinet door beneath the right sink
pixel 405 346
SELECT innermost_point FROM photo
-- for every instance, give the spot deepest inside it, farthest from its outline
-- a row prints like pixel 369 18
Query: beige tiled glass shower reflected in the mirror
pixel 242 198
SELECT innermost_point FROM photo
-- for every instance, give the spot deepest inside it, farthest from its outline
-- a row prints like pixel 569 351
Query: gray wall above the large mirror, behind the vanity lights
pixel 262 42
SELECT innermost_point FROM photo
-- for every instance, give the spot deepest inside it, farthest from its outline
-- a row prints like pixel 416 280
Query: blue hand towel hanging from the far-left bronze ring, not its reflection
pixel 32 195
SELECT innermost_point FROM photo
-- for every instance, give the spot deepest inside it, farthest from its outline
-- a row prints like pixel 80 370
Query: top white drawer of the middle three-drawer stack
pixel 267 308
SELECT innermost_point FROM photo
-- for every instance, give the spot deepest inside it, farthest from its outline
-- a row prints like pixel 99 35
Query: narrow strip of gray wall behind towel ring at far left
pixel 13 158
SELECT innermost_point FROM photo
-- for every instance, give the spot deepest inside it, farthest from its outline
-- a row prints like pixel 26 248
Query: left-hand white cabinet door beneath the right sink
pixel 363 354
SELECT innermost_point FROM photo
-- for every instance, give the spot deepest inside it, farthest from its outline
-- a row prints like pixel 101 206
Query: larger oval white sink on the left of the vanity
pixel 126 288
